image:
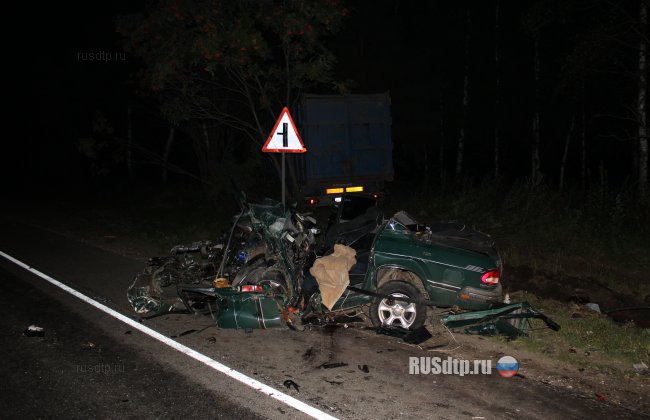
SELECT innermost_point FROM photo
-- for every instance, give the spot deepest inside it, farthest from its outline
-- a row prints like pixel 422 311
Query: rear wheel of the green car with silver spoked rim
pixel 404 314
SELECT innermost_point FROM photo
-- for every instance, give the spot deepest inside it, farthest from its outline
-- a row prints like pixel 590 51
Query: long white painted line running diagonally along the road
pixel 253 383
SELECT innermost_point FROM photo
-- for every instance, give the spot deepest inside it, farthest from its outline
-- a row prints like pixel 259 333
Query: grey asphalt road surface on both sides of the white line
pixel 125 373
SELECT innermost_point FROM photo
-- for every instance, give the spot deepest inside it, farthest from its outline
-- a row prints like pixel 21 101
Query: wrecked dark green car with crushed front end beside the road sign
pixel 259 275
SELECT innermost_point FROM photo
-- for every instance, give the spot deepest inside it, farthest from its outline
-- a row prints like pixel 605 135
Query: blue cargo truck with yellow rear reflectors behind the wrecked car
pixel 349 146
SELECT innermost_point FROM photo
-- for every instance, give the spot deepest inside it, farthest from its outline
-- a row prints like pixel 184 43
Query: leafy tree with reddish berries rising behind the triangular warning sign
pixel 222 70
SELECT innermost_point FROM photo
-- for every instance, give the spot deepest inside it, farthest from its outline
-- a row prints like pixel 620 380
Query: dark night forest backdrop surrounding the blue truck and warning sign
pixel 546 94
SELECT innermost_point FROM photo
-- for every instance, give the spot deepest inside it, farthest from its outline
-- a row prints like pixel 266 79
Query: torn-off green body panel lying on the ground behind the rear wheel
pixel 511 320
